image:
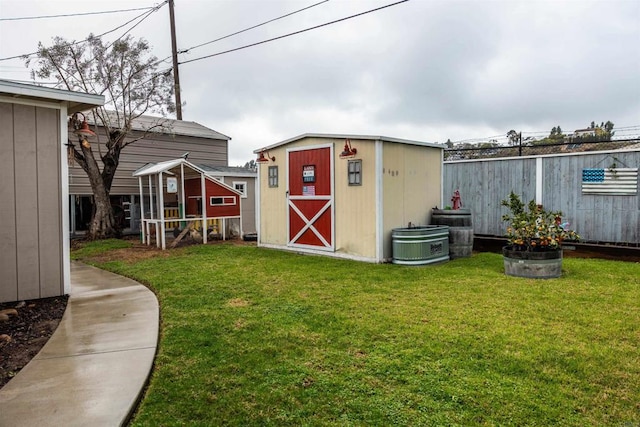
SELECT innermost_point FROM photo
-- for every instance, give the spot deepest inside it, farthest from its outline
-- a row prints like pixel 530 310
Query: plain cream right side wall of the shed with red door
pixel 411 186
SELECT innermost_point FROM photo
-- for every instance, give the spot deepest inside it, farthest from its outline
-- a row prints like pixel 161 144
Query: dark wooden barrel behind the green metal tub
pixel 460 230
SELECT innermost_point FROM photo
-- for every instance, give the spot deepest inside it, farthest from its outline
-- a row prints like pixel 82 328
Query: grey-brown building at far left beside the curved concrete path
pixel 34 237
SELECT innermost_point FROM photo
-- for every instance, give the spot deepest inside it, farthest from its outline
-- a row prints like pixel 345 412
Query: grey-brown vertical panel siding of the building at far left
pixel 31 216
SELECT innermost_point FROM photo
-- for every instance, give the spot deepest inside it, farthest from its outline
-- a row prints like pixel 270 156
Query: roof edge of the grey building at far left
pixel 76 101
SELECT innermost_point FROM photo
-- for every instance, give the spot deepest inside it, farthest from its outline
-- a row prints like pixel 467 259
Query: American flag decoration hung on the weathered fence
pixel 620 181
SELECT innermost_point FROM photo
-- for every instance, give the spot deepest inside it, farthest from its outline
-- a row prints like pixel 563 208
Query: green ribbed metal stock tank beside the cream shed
pixel 420 245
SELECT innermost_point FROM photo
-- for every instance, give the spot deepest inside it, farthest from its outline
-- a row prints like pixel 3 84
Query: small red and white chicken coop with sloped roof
pixel 201 202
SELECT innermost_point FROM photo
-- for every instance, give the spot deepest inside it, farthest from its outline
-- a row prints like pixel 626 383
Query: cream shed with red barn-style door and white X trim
pixel 342 195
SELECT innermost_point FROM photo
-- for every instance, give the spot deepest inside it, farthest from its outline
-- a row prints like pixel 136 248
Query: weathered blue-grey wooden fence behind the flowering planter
pixel 555 181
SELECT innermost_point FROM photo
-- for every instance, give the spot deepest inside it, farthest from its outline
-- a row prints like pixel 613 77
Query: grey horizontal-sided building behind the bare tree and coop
pixel 171 140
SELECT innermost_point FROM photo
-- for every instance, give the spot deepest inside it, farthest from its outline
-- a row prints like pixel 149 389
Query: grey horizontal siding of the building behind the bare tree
pixel 155 149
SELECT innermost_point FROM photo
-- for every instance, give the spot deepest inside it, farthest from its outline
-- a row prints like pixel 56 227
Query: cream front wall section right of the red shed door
pixel 355 205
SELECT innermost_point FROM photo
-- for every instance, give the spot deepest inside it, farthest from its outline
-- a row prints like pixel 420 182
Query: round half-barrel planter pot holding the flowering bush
pixel 532 265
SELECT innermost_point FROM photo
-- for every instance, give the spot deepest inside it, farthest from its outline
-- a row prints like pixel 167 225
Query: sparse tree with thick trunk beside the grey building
pixel 127 75
